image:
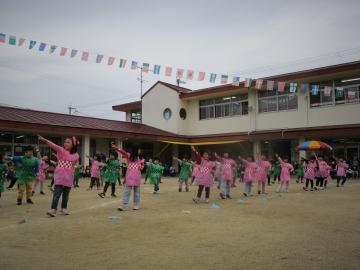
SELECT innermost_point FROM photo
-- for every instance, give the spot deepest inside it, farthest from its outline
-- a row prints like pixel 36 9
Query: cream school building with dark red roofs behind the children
pixel 241 120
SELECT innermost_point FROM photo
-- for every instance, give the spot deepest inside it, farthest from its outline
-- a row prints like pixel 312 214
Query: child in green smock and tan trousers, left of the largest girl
pixel 27 167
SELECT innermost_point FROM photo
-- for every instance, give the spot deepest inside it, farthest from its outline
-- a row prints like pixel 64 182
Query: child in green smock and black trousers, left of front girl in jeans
pixel 111 174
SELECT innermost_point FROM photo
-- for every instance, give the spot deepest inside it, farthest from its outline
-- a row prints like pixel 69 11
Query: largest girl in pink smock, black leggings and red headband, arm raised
pixel 64 172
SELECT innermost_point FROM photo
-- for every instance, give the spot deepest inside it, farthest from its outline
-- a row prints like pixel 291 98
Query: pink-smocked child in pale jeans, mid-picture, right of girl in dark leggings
pixel 227 175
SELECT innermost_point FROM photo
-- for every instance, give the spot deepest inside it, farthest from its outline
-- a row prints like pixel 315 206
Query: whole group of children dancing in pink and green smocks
pixel 204 172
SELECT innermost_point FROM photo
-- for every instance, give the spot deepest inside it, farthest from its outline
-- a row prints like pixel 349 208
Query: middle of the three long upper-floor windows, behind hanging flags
pixel 272 101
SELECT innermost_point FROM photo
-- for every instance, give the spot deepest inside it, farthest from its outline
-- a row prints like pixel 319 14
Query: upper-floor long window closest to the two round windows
pixel 223 107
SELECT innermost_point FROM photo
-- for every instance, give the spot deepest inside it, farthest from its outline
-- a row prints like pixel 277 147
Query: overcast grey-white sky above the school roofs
pixel 248 38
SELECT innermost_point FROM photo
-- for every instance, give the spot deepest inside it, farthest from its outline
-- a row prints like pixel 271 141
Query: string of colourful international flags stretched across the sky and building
pixel 180 73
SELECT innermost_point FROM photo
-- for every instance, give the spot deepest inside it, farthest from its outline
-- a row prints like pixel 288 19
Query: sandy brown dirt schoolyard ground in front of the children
pixel 298 230
